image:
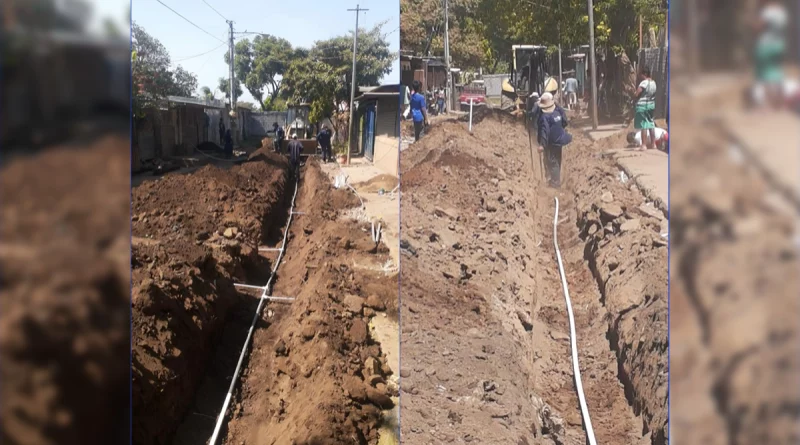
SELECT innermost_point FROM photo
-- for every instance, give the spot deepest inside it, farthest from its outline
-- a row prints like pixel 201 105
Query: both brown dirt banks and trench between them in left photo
pixel 194 237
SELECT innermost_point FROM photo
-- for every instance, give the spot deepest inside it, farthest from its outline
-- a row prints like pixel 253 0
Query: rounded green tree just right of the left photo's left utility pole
pixel 261 63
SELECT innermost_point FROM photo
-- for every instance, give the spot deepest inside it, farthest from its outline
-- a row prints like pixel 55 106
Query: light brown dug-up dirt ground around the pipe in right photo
pixel 486 356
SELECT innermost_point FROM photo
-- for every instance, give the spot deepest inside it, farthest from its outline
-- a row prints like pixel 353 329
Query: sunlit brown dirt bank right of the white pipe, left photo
pixel 315 375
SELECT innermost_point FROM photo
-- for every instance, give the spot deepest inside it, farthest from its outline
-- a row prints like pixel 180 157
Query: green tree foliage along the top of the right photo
pixel 482 31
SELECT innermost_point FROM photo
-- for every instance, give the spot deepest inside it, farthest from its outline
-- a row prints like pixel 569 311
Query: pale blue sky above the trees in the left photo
pixel 301 22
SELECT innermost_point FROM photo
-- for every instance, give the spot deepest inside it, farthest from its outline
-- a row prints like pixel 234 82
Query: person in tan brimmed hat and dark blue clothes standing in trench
pixel 553 137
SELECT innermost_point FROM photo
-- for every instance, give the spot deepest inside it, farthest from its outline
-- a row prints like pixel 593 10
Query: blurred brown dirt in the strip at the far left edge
pixel 64 299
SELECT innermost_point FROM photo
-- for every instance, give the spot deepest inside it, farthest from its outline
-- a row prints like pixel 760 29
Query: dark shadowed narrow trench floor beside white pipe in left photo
pixel 198 424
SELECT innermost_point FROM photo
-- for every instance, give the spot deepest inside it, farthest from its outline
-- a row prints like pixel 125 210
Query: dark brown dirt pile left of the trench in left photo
pixel 194 235
